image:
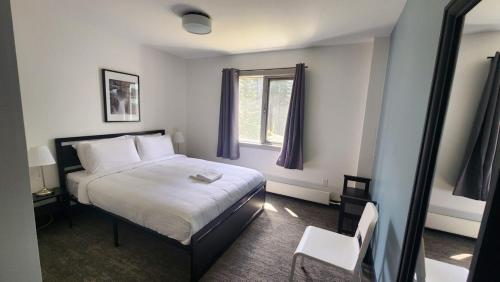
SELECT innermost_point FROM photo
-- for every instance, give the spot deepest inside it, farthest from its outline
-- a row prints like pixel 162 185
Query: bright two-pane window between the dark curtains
pixel 263 108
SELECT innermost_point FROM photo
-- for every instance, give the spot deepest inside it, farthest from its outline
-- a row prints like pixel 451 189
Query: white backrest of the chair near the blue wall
pixel 366 226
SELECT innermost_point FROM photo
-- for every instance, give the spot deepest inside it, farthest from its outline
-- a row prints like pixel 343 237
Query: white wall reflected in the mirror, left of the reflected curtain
pixel 470 76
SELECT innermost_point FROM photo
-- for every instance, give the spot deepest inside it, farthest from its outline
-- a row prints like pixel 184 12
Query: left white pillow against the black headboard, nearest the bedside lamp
pixel 108 154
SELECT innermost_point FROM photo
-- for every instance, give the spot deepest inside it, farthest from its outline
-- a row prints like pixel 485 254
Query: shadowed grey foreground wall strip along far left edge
pixel 18 246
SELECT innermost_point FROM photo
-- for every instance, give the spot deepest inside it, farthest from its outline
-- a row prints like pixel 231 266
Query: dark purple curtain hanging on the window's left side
pixel 228 146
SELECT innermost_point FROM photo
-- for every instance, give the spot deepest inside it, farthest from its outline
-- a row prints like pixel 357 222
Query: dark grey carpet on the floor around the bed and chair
pixel 263 252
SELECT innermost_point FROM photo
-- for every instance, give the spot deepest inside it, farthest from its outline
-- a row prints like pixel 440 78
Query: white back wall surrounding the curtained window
pixel 336 89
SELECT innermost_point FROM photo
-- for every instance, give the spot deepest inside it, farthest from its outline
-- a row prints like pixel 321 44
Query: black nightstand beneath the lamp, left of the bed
pixel 47 205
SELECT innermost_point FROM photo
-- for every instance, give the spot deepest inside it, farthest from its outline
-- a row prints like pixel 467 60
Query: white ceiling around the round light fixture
pixel 241 26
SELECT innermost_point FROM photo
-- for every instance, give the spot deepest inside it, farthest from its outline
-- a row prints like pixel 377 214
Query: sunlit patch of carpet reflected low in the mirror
pixel 448 247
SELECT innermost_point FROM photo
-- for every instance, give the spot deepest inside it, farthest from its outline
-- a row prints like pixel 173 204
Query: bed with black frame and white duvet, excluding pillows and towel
pixel 159 197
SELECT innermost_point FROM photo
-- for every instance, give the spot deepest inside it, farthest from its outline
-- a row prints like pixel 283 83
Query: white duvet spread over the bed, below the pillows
pixel 160 195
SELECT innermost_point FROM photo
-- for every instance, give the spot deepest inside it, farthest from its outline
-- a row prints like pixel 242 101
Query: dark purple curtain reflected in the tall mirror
pixel 476 176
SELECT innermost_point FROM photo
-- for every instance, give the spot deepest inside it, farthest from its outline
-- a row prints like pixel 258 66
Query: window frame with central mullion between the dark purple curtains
pixel 266 80
